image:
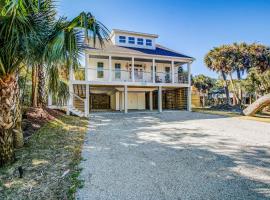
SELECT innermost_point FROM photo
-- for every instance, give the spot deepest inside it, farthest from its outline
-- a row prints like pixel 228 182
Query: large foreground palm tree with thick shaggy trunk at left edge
pixel 18 31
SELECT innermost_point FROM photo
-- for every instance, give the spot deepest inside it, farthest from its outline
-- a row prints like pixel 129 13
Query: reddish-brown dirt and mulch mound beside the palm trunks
pixel 35 118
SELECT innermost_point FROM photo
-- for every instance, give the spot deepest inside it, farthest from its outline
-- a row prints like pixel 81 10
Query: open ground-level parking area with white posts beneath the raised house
pixel 91 98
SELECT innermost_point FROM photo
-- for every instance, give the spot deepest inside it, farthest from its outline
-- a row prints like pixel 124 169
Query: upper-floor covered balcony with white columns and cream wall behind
pixel 120 70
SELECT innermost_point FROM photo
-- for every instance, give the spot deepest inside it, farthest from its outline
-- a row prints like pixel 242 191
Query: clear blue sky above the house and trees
pixel 192 27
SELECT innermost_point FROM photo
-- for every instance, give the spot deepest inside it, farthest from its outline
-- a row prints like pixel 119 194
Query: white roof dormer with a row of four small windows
pixel 133 39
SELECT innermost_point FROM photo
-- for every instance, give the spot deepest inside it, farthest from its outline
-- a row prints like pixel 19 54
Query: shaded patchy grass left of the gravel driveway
pixel 49 160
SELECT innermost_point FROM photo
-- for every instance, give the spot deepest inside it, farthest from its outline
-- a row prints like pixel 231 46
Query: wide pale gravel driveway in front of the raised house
pixel 175 155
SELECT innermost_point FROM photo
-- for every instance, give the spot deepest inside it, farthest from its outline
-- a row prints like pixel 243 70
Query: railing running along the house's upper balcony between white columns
pixel 95 74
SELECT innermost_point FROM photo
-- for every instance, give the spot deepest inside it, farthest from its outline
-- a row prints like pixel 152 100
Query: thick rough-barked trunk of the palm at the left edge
pixel 9 114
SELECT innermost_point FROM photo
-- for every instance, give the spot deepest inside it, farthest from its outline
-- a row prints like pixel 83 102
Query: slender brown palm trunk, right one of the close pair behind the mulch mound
pixel 41 86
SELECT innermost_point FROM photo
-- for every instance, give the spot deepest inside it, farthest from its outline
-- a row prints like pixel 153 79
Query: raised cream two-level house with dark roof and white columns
pixel 120 76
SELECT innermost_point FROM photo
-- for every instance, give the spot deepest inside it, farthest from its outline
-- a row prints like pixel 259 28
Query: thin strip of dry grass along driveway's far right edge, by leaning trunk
pixel 262 117
